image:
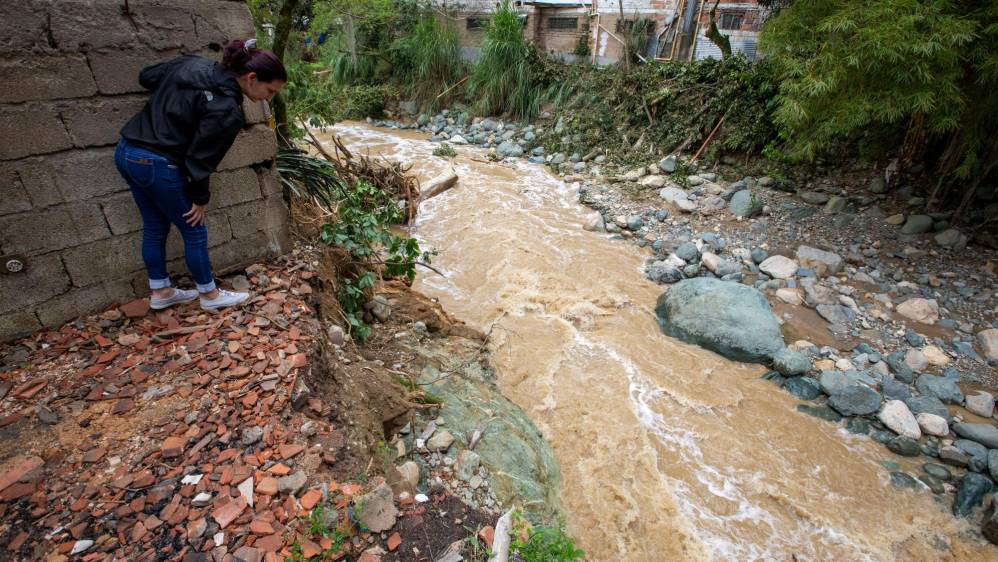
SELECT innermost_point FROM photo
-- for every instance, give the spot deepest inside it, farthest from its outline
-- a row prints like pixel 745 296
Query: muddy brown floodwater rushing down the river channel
pixel 667 451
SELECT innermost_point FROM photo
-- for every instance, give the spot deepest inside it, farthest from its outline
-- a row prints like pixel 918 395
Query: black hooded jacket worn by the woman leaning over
pixel 192 117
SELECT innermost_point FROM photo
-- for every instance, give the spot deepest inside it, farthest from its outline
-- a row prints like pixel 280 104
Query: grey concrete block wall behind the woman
pixel 70 75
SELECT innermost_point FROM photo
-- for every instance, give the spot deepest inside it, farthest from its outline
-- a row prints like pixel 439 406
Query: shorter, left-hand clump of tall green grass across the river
pixel 428 59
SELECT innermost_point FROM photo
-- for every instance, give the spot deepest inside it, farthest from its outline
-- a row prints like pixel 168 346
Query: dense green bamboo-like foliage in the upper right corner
pixel 913 72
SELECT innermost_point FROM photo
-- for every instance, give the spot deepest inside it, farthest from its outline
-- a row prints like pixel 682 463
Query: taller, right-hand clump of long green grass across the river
pixel 501 80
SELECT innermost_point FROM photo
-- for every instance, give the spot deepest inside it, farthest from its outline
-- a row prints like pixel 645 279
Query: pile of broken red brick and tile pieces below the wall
pixel 144 435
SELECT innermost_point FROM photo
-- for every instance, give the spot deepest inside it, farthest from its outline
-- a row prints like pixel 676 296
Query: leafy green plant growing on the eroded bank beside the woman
pixel 363 227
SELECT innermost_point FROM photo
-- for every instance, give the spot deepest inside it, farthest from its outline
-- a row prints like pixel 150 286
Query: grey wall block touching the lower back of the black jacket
pixel 98 122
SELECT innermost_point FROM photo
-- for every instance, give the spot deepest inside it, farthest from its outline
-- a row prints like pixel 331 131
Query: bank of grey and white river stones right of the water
pixel 876 314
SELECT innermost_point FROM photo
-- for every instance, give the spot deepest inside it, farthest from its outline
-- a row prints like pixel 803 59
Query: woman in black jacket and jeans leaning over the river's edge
pixel 169 149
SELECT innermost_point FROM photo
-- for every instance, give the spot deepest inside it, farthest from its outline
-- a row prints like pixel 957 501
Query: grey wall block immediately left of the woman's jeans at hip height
pixel 85 174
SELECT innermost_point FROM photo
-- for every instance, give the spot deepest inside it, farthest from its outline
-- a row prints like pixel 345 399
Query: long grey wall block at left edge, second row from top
pixel 31 77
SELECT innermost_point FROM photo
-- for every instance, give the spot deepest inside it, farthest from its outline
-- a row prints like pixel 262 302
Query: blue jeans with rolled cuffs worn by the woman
pixel 158 188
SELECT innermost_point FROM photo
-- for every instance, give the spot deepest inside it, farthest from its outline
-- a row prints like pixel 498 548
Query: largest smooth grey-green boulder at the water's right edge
pixel 731 319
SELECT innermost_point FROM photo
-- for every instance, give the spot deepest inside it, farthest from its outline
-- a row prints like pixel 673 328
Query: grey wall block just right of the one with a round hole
pixel 111 258
